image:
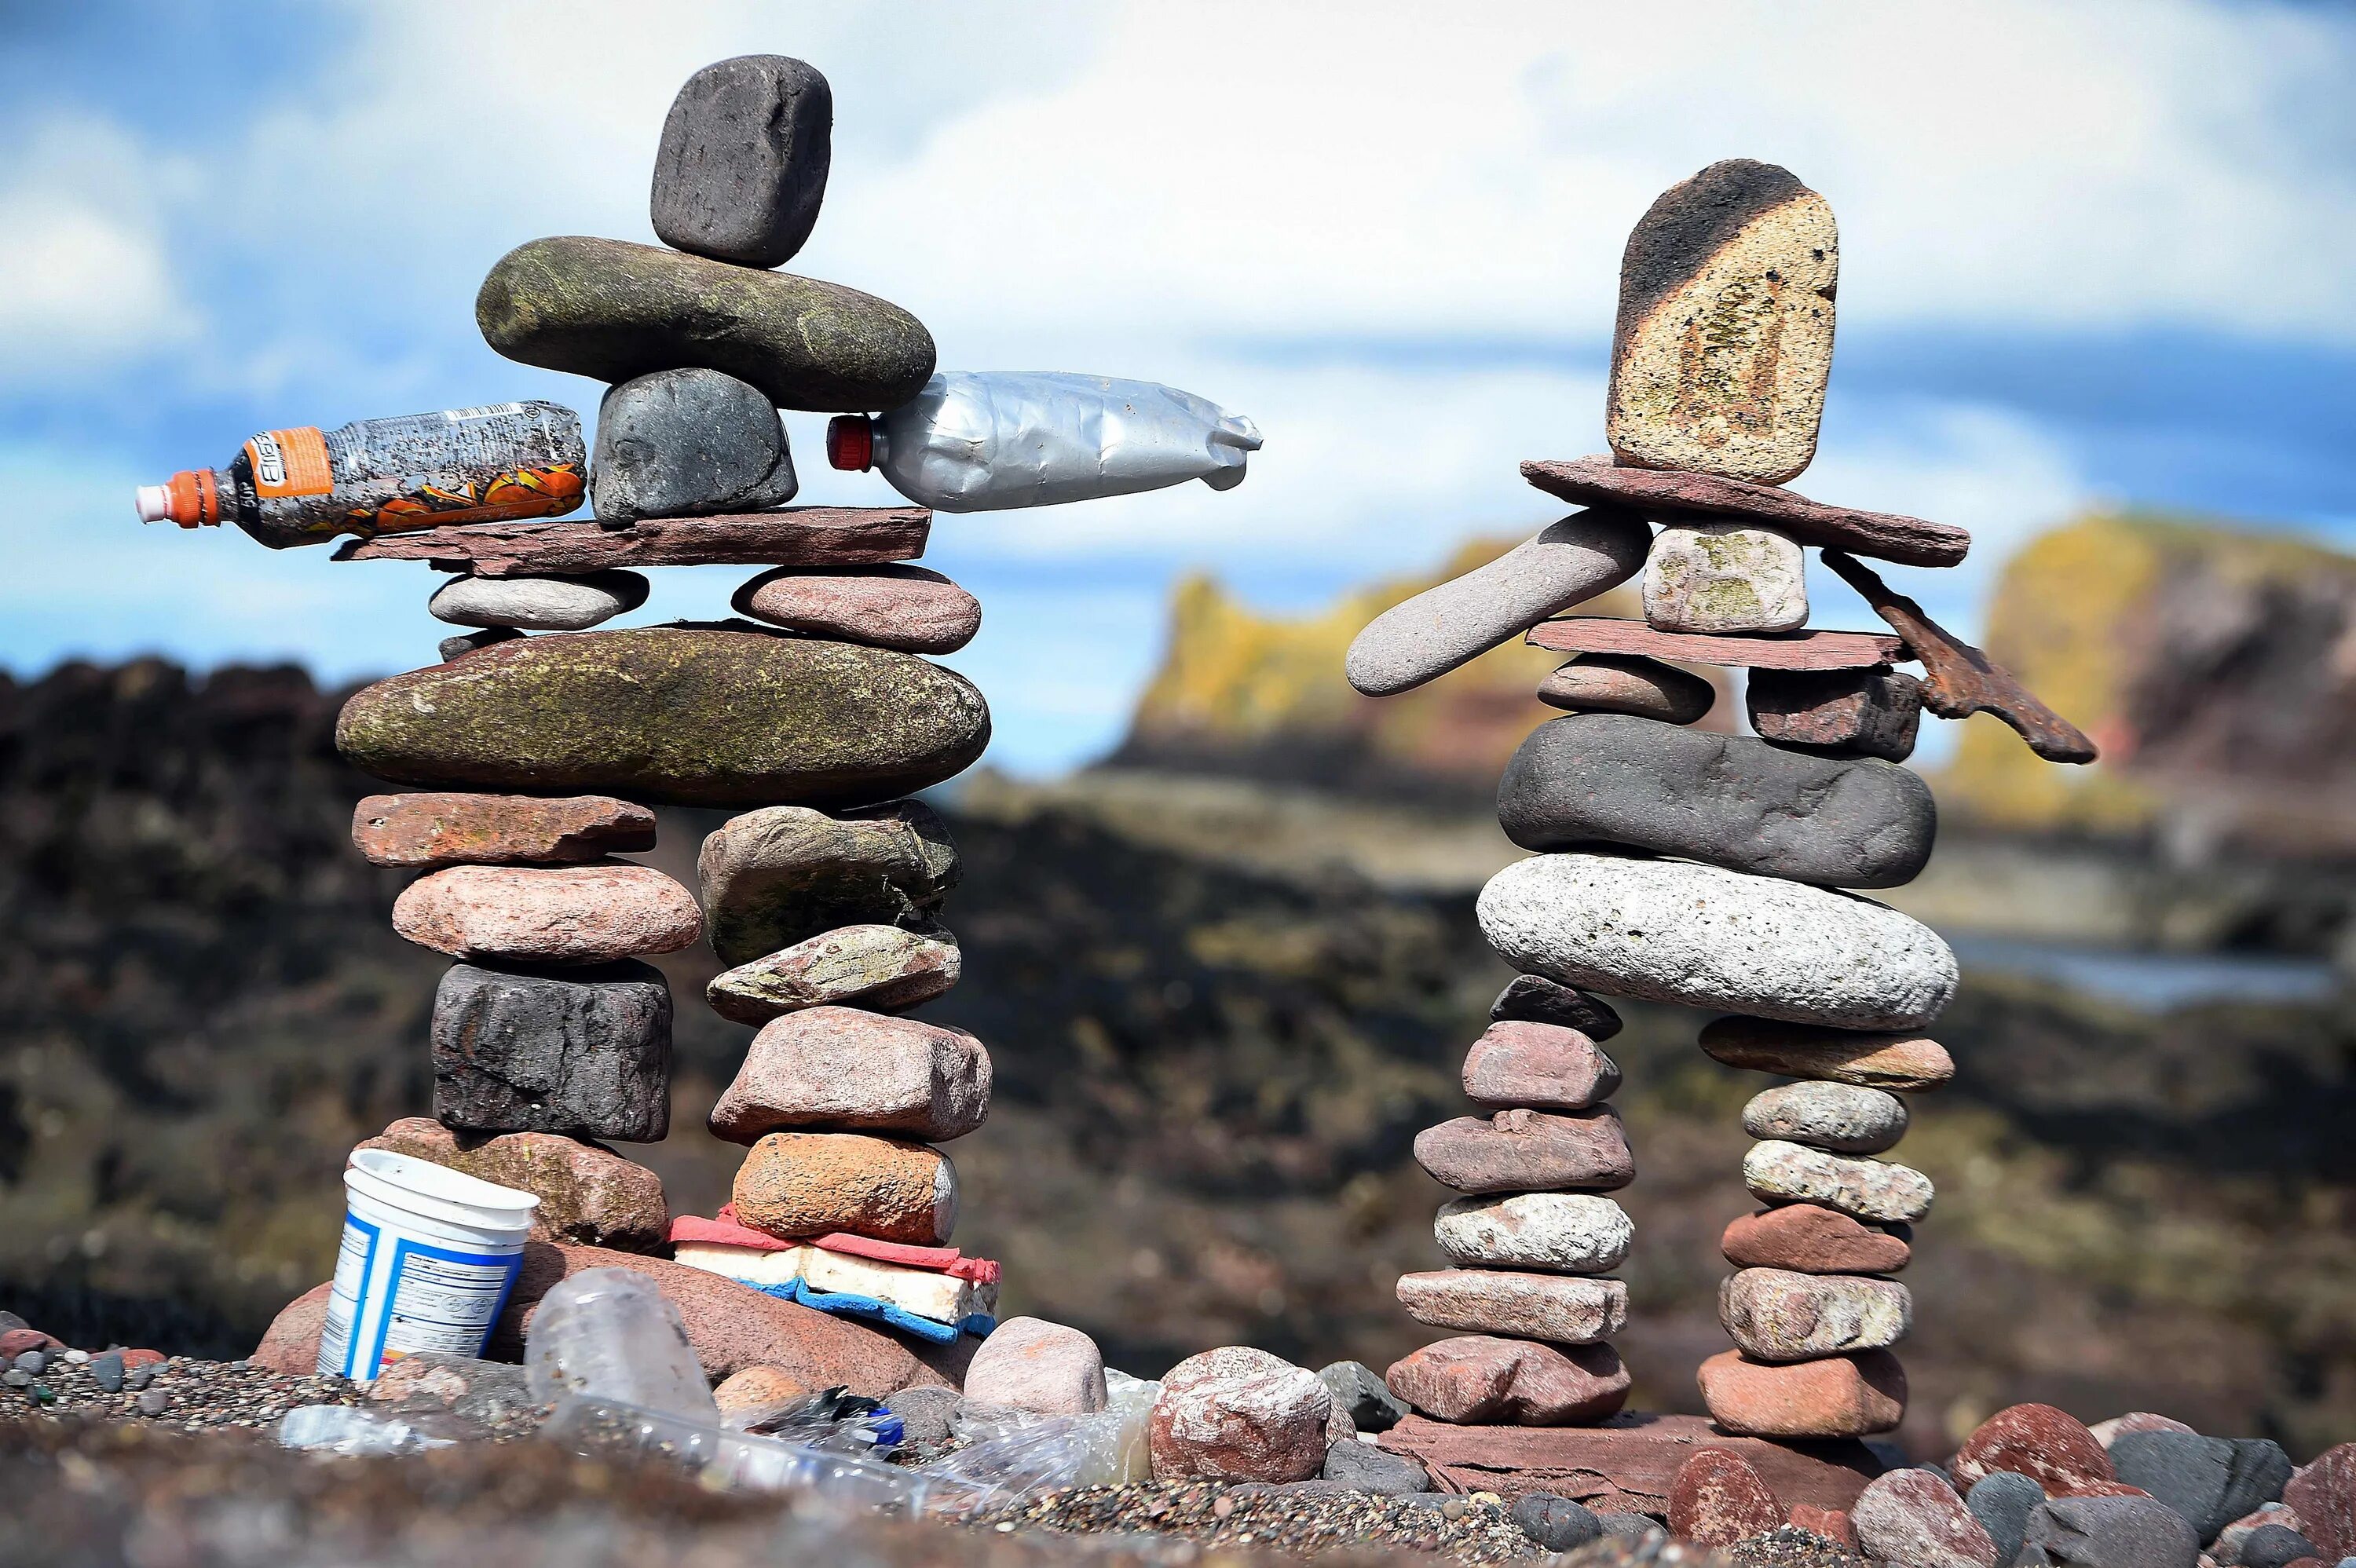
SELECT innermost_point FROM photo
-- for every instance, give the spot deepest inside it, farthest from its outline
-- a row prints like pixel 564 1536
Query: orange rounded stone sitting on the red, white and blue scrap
pixel 816 1183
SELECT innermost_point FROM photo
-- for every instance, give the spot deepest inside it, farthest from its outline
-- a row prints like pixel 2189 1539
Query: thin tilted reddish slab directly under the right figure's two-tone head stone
pixel 1686 498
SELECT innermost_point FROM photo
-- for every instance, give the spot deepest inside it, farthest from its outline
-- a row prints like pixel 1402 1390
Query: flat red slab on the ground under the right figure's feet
pixel 1627 1463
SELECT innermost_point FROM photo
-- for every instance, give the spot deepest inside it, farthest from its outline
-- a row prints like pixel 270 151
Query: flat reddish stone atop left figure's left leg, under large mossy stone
pixel 430 832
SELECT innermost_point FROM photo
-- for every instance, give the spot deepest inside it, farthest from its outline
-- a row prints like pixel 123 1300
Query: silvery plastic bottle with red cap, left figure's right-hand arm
pixel 984 441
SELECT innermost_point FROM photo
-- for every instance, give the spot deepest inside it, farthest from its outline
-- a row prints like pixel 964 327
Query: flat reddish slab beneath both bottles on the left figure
pixel 795 536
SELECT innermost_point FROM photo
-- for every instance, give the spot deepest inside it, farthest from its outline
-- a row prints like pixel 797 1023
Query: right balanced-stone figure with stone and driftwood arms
pixel 1693 868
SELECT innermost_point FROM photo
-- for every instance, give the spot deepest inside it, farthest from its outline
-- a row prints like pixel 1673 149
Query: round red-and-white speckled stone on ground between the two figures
pixel 1238 1414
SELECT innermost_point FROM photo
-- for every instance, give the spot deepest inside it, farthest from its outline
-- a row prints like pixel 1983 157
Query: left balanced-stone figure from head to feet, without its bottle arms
pixel 543 745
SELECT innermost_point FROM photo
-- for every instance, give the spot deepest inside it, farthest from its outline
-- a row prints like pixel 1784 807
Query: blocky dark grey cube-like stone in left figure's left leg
pixel 585 1051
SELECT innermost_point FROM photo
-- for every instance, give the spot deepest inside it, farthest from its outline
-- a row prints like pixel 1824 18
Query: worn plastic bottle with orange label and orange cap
pixel 388 477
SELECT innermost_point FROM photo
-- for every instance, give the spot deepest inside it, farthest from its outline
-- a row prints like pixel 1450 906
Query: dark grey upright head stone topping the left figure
pixel 743 161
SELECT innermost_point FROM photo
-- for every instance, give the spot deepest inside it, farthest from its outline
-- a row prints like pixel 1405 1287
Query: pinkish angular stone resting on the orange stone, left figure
pixel 847 1070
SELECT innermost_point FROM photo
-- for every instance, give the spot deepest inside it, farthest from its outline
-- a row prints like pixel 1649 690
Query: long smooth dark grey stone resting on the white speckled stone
pixel 1723 799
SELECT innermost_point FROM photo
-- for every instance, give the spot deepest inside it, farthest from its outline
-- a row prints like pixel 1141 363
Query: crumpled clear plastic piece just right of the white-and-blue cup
pixel 609 1334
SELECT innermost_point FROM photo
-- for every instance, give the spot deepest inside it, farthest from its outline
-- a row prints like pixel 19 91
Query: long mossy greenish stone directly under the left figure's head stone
pixel 616 312
